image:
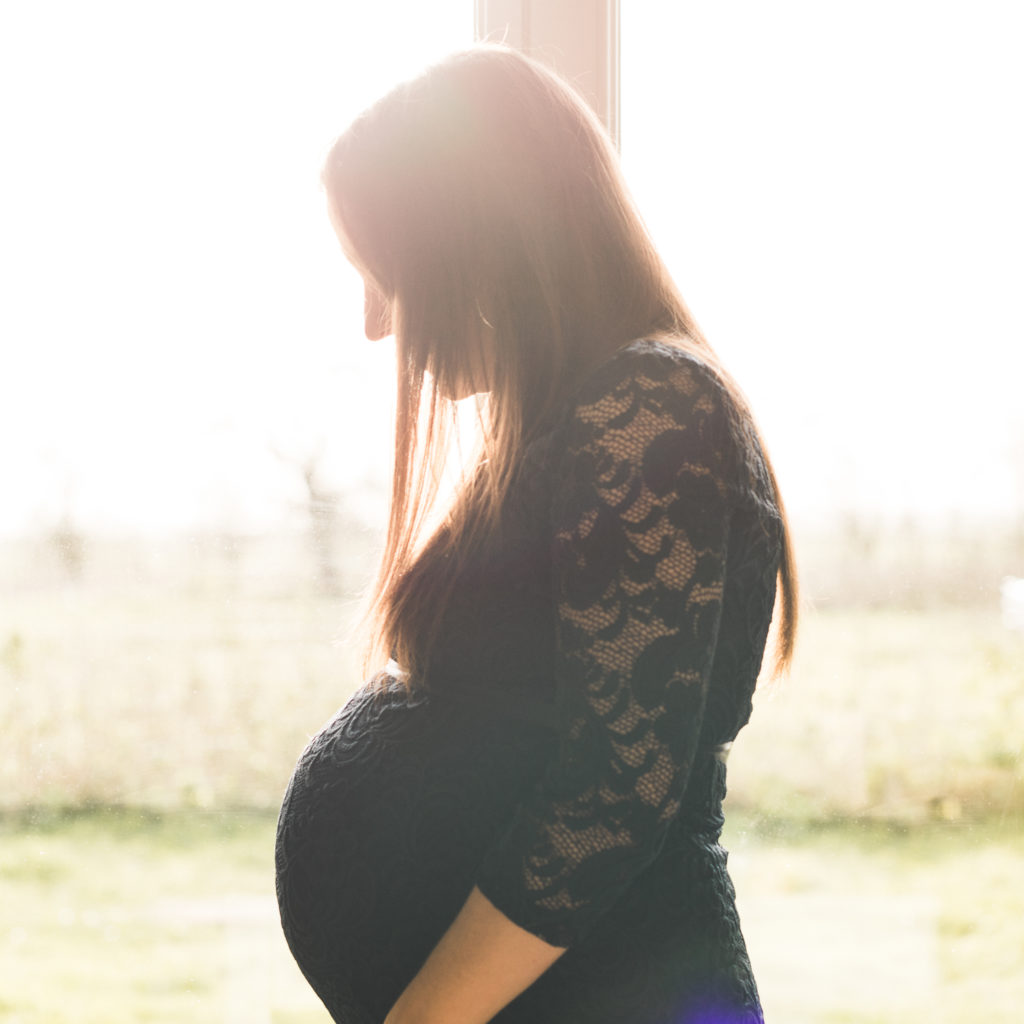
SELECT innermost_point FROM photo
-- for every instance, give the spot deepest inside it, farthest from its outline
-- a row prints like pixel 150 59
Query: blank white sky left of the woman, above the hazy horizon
pixel 175 304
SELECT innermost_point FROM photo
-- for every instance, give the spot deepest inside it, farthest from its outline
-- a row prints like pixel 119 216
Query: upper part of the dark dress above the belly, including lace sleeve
pixel 626 603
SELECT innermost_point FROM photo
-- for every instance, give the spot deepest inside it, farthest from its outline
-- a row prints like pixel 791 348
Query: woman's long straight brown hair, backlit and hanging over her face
pixel 485 201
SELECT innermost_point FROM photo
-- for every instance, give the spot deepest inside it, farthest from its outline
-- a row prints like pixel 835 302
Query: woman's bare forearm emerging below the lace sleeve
pixel 483 963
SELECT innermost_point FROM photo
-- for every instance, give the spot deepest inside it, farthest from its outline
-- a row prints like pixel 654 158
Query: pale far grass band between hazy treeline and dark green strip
pixel 168 698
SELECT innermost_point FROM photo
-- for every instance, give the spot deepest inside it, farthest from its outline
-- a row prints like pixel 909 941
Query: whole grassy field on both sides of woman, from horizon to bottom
pixel 153 707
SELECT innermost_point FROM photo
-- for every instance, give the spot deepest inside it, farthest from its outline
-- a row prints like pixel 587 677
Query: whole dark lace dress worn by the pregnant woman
pixel 567 754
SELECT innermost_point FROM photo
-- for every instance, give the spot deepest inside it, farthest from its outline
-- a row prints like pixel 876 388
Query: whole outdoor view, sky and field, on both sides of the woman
pixel 195 444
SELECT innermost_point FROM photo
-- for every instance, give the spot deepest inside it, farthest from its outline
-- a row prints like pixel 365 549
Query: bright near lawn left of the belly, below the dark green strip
pixel 131 916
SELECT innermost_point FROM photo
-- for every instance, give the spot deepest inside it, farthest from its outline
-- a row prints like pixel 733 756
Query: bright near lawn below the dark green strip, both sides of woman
pixel 111 917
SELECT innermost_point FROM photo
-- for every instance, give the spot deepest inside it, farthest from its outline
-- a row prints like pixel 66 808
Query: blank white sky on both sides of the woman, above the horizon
pixel 837 187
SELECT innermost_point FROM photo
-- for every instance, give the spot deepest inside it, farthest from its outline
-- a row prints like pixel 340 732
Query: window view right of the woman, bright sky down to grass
pixel 836 188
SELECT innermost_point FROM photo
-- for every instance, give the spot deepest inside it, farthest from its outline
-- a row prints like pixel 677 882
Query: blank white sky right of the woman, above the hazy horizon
pixel 837 189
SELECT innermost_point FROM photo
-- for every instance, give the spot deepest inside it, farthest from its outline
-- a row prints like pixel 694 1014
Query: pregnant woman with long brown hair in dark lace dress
pixel 518 819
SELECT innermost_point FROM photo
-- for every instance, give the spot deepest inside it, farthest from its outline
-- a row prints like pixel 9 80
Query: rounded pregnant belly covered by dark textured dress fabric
pixel 388 817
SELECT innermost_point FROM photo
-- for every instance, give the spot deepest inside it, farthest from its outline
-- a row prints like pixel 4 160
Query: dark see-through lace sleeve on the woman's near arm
pixel 641 522
